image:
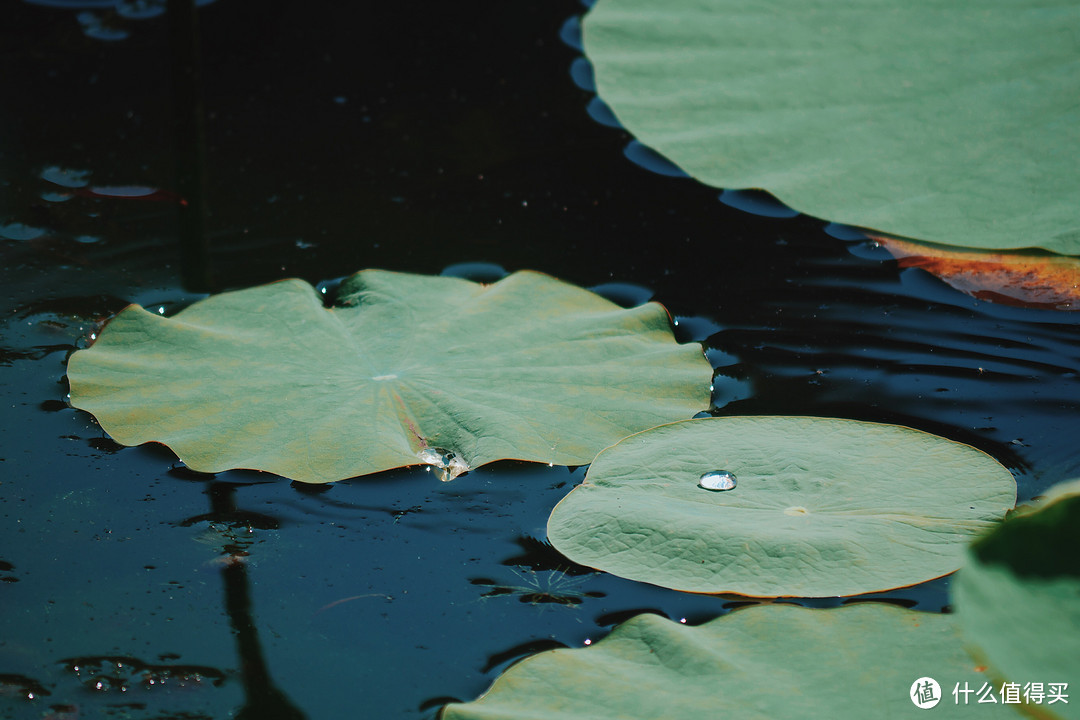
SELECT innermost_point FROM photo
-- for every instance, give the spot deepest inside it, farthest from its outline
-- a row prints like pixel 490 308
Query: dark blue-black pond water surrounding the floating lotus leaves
pixel 412 137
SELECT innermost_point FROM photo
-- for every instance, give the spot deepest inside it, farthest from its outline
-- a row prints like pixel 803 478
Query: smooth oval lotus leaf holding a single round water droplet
pixel 822 507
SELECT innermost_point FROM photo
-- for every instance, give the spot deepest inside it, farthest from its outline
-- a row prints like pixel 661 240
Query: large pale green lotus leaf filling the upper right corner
pixel 952 123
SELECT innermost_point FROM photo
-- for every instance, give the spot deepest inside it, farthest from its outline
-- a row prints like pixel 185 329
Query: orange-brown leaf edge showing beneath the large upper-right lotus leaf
pixel 1025 280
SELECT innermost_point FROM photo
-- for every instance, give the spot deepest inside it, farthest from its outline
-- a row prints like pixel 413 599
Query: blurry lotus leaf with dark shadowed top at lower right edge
pixel 1018 597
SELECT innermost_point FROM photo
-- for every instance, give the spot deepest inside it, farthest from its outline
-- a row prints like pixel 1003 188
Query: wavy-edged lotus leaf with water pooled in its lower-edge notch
pixel 269 379
